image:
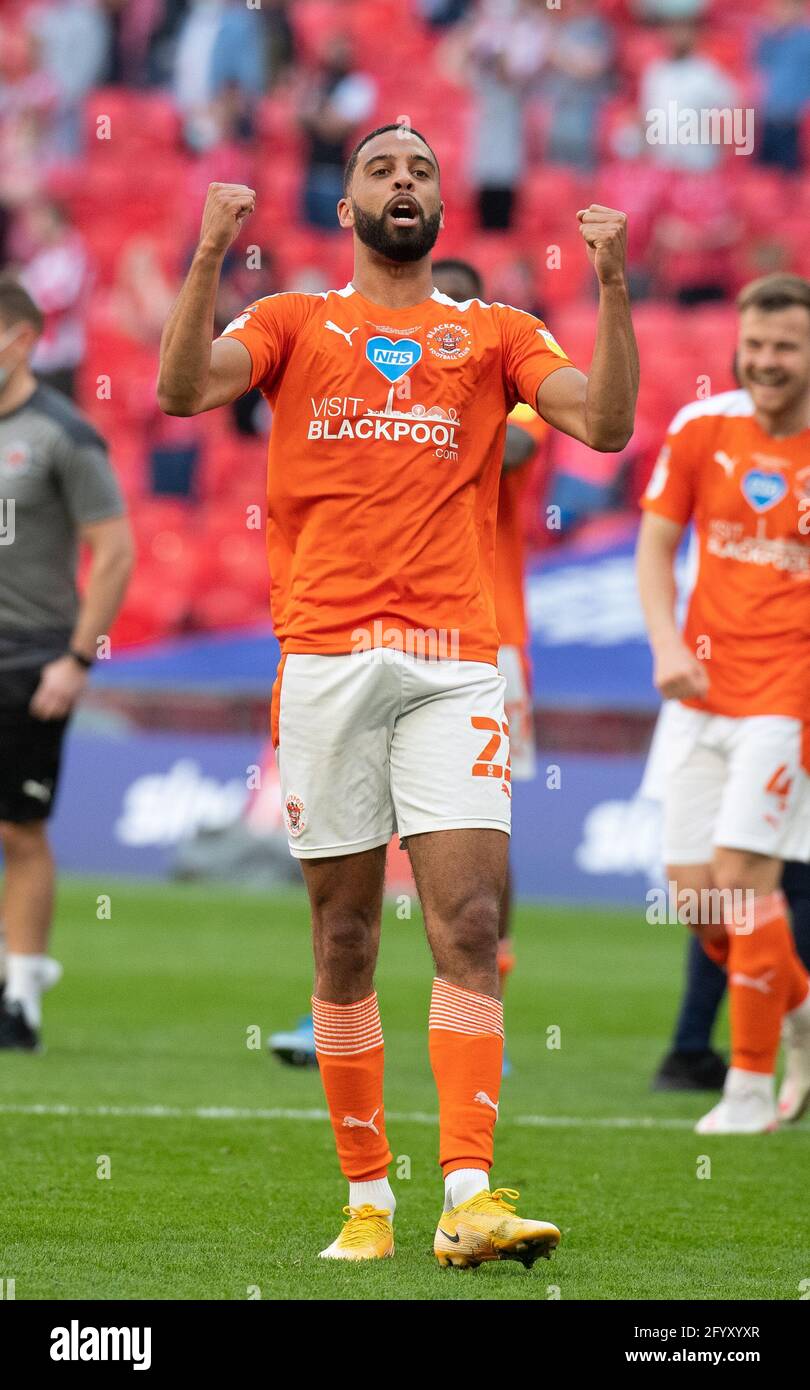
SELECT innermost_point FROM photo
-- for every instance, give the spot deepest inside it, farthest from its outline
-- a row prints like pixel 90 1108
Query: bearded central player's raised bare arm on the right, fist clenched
pixel 600 408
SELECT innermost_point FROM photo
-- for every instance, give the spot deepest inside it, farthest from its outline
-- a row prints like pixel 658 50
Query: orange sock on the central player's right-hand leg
pixel 466 1045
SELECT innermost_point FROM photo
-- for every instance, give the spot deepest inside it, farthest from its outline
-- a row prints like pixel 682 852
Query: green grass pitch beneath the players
pixel 156 1011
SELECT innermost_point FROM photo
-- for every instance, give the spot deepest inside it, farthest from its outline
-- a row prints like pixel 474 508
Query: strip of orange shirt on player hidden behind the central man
pixel 511 605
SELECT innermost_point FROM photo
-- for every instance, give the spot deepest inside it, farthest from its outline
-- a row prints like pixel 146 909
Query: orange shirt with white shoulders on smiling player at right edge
pixel 750 498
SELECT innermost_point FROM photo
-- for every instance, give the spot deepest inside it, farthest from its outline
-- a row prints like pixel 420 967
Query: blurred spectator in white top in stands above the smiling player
pixel 684 83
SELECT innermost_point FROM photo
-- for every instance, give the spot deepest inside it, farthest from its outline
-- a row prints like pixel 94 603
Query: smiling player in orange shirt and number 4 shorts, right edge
pixel 737 801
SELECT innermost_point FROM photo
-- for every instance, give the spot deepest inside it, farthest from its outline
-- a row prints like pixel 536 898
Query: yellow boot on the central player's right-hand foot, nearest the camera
pixel 484 1228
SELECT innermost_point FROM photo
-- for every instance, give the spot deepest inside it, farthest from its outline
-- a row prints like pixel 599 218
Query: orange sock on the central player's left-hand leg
pixel 349 1052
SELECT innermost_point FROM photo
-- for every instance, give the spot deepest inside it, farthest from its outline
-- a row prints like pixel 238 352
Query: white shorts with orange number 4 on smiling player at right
pixel 737 783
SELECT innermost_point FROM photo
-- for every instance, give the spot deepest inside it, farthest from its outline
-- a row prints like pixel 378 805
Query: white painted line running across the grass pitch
pixel 233 1113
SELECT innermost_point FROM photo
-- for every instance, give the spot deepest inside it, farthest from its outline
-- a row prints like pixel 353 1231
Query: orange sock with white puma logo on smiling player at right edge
pixel 766 979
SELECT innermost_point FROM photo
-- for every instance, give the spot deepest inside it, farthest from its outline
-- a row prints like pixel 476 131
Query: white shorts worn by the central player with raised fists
pixel 380 742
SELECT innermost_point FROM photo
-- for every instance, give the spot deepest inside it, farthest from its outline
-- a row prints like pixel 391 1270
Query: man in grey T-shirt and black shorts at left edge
pixel 58 491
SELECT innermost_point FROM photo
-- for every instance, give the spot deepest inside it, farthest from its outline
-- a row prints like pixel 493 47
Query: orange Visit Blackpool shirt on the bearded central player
pixel 384 462
